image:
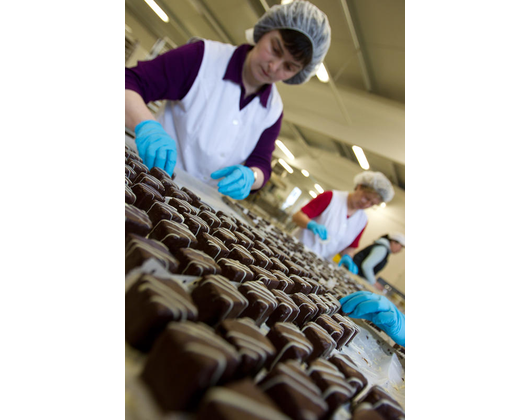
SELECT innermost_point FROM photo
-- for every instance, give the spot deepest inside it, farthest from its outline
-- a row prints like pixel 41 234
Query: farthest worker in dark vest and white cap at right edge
pixel 372 259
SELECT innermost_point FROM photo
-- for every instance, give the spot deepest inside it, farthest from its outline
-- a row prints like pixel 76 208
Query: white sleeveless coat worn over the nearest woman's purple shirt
pixel 210 130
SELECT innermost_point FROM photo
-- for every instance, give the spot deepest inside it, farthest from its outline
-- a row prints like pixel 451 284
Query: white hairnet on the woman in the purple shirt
pixel 303 17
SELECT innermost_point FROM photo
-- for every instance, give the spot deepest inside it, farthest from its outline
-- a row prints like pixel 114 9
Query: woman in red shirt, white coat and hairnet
pixel 334 221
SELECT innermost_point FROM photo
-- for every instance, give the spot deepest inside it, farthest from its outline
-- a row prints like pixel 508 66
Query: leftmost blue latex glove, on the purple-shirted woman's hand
pixel 155 146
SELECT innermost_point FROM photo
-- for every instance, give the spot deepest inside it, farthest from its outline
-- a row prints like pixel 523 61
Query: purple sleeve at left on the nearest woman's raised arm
pixel 168 76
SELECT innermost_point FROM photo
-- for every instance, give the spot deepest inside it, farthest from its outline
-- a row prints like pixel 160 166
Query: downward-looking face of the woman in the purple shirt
pixel 270 62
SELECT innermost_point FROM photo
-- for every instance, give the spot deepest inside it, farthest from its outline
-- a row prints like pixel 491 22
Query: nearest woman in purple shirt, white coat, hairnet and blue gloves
pixel 223 112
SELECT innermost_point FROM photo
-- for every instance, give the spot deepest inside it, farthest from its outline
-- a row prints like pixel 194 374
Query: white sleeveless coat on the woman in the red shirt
pixel 342 230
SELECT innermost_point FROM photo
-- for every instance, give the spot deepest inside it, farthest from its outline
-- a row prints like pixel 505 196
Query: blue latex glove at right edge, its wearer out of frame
pixel 377 309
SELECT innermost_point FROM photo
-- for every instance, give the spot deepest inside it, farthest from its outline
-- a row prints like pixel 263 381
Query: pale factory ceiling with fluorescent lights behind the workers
pixel 363 104
